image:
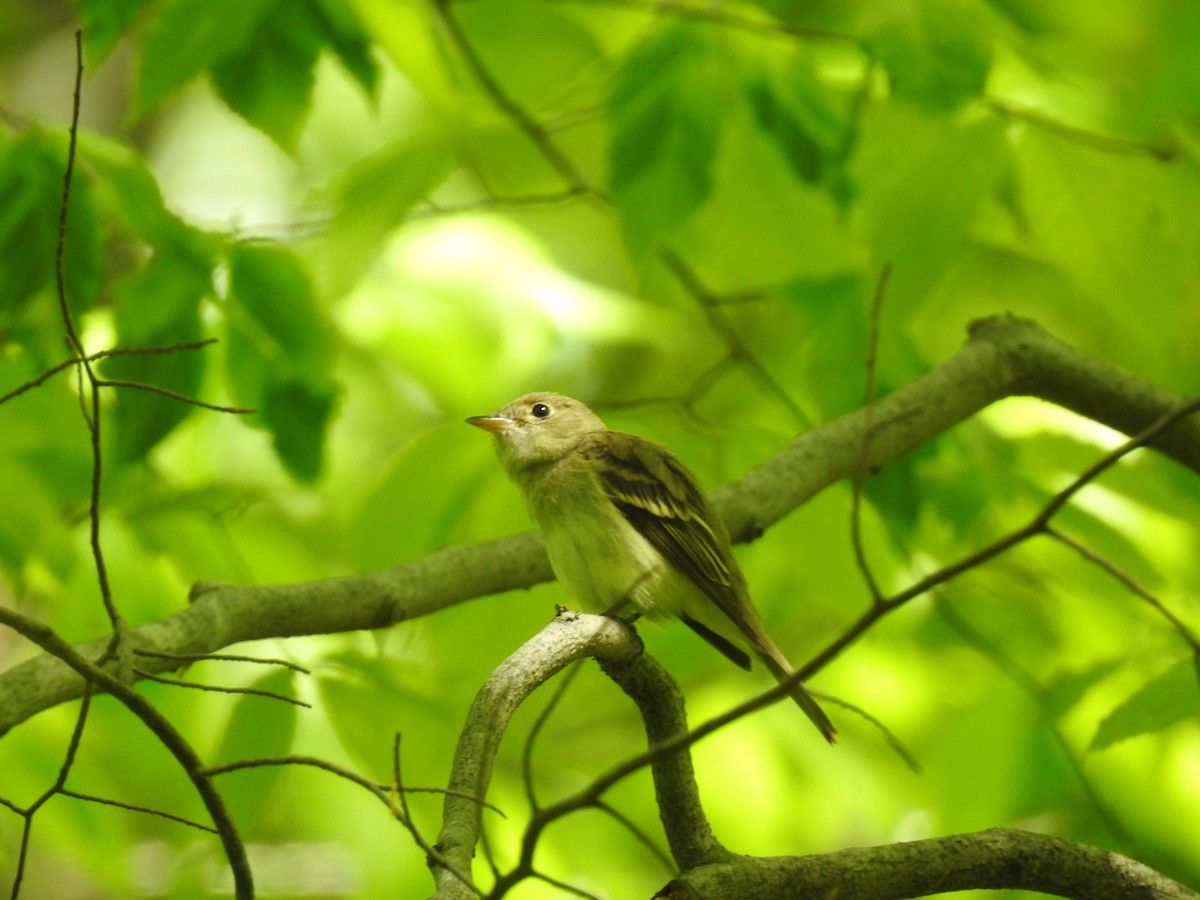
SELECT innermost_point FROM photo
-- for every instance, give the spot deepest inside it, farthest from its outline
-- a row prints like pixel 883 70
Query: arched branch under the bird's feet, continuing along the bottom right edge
pixel 993 860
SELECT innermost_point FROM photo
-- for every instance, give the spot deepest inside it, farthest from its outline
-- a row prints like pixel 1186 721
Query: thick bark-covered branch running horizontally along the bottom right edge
pixel 998 859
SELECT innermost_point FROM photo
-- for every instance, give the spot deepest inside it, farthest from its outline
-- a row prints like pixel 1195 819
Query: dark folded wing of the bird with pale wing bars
pixel 662 500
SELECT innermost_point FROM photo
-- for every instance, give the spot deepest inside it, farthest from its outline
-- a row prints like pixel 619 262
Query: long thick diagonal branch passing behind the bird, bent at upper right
pixel 1005 357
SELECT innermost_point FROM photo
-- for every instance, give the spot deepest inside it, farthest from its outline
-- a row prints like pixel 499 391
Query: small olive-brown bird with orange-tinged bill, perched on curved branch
pixel 625 521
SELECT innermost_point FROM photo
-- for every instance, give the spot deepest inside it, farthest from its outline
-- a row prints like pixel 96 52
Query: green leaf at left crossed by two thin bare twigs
pixel 159 307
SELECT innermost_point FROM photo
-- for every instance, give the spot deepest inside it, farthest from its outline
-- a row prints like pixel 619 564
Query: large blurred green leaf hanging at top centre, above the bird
pixel 667 109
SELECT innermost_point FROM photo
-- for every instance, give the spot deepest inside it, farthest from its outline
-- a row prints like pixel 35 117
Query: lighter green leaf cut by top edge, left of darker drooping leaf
pixel 187 38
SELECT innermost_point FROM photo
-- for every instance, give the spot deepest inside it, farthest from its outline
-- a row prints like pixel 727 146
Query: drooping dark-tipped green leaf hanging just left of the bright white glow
pixel 280 353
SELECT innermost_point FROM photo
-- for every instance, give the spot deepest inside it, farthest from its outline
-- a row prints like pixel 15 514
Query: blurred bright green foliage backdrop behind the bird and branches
pixel 398 215
